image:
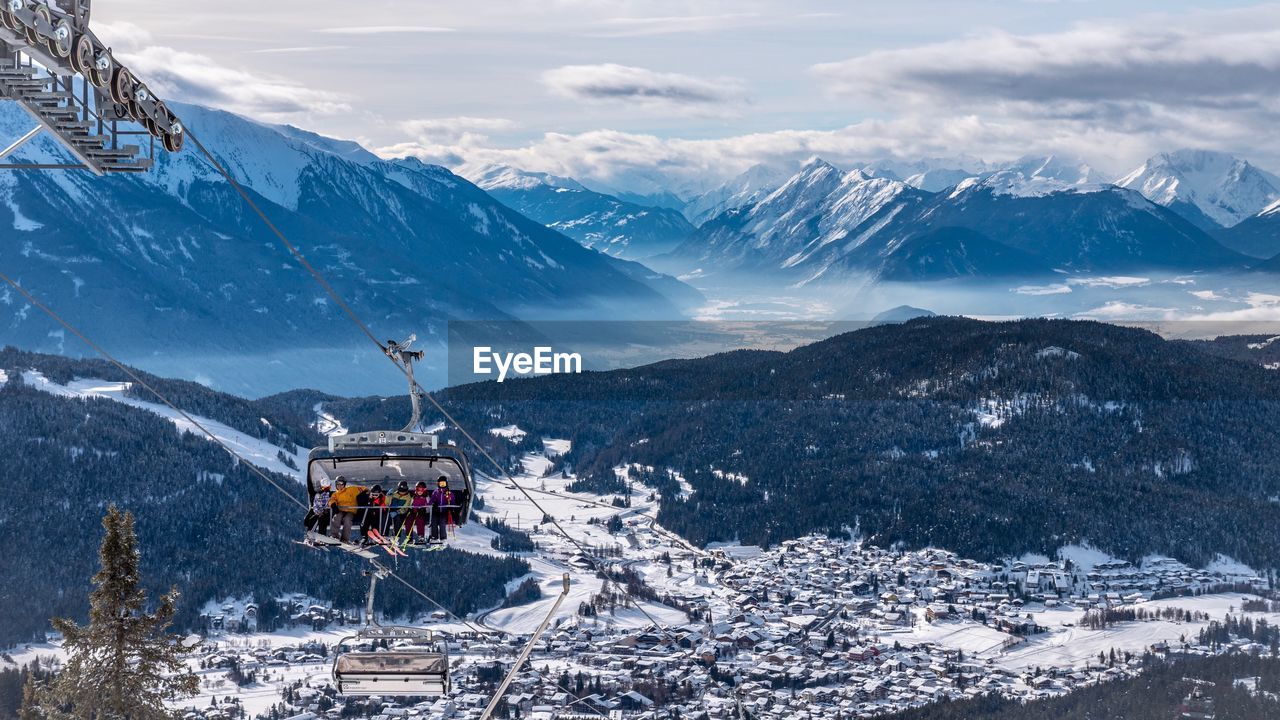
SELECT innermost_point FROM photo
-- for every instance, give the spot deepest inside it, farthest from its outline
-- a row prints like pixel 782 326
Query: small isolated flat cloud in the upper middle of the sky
pixel 641 88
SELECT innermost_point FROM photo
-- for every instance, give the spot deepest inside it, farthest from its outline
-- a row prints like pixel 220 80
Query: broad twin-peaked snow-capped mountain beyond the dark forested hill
pixel 1034 217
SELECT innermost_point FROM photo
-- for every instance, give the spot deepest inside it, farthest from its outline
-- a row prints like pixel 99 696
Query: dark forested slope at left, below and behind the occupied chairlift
pixel 203 522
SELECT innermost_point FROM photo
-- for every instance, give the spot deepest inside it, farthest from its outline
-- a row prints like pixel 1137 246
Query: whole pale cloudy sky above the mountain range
pixel 625 92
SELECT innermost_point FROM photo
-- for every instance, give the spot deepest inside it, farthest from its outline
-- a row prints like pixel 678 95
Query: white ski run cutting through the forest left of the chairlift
pixel 255 450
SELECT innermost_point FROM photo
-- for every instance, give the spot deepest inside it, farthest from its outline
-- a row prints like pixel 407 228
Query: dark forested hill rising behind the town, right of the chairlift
pixel 988 439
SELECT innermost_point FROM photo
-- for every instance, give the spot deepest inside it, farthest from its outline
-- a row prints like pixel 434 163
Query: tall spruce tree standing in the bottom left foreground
pixel 124 666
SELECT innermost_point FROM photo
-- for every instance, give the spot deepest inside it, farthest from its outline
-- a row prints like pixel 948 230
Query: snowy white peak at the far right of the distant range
pixel 1210 189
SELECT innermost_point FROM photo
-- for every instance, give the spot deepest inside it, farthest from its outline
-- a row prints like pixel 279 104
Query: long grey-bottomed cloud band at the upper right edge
pixel 1177 65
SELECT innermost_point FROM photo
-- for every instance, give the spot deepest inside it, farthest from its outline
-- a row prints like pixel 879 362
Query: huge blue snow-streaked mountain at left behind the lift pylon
pixel 175 258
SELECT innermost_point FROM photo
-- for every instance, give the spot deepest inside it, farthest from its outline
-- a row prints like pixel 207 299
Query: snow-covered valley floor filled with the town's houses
pixel 828 626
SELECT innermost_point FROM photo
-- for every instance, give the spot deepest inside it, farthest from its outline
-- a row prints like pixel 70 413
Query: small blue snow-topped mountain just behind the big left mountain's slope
pixel 598 221
